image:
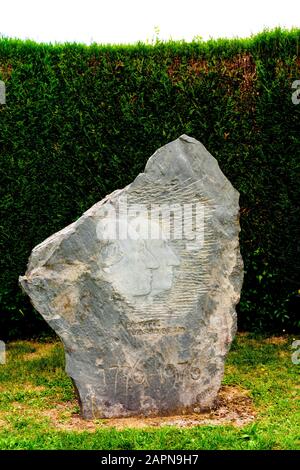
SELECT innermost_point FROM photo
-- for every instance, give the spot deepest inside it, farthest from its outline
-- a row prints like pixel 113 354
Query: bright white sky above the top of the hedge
pixel 127 21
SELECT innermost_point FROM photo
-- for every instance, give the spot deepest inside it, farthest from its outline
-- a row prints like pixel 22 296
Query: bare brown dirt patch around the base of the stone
pixel 233 406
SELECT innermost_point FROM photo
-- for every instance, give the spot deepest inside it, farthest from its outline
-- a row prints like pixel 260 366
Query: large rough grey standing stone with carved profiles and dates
pixel 146 323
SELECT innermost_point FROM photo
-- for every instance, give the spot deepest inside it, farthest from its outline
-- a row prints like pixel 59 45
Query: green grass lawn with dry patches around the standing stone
pixel 38 409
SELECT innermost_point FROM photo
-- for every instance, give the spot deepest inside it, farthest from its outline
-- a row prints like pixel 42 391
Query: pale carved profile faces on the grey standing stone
pixel 138 267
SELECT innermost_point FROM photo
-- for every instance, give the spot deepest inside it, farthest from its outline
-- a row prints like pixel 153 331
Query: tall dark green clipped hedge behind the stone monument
pixel 81 121
